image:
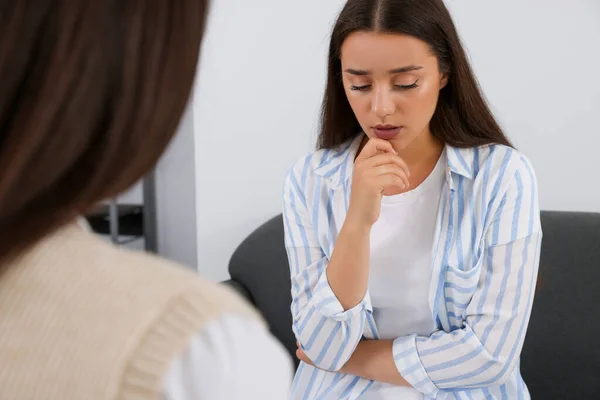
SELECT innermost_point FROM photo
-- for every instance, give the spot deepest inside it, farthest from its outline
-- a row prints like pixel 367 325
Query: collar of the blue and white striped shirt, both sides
pixel 337 164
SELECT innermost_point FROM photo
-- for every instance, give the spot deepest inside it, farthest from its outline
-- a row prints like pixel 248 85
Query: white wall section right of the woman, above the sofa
pixel 538 62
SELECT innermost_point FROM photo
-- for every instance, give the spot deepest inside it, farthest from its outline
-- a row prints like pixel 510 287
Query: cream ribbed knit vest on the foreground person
pixel 83 320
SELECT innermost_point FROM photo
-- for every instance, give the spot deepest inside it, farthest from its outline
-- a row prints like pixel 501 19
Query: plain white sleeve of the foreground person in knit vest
pixel 233 358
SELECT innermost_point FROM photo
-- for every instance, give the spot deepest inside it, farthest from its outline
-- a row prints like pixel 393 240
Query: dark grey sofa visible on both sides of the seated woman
pixel 561 355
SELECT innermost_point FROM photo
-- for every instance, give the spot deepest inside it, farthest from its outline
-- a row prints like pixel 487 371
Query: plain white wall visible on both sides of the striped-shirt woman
pixel 261 80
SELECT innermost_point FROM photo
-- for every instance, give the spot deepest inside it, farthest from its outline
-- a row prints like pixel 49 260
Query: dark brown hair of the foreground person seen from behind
pixel 92 91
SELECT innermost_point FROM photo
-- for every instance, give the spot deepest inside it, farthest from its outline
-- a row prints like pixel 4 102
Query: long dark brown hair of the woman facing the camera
pixel 462 117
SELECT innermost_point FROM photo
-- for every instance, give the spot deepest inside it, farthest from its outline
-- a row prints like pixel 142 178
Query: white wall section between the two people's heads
pixel 258 94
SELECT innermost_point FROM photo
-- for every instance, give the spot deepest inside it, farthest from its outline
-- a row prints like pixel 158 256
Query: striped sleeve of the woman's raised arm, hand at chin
pixel 326 332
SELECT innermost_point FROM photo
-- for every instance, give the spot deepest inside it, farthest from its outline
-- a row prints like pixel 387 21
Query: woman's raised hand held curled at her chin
pixel 377 170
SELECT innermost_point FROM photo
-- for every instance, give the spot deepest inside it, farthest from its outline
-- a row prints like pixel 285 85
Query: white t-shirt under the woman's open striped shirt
pixel 400 268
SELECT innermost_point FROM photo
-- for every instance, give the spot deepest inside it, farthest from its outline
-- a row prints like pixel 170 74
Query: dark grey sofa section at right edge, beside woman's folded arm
pixel 561 356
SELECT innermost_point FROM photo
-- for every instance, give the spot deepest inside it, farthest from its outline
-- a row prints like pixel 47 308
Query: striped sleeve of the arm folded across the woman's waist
pixel 485 351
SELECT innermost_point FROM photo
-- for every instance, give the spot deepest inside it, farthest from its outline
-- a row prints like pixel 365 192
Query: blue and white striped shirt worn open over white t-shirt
pixel 484 270
